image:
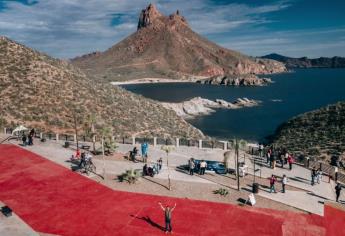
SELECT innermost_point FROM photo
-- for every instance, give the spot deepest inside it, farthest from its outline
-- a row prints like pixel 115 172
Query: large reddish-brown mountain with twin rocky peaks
pixel 166 47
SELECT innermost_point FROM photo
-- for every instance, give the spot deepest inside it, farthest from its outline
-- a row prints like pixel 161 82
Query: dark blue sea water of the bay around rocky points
pixel 291 94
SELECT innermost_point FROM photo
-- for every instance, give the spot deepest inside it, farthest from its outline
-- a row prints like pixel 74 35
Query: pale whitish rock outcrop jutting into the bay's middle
pixel 201 106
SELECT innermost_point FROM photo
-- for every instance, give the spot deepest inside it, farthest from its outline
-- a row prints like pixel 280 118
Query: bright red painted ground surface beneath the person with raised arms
pixel 52 199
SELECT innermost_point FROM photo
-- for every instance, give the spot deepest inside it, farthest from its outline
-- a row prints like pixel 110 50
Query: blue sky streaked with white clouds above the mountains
pixel 68 28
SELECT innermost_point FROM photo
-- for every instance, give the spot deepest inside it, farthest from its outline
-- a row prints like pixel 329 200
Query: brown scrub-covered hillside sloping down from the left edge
pixel 38 90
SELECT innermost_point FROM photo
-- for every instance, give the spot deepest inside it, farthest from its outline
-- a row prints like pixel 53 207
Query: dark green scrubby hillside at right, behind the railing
pixel 319 133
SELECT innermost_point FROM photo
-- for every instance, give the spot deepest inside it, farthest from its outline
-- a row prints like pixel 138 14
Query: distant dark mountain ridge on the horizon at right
pixel 305 62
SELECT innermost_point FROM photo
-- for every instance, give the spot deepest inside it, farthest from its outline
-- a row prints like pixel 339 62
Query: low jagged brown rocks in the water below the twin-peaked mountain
pixel 239 80
